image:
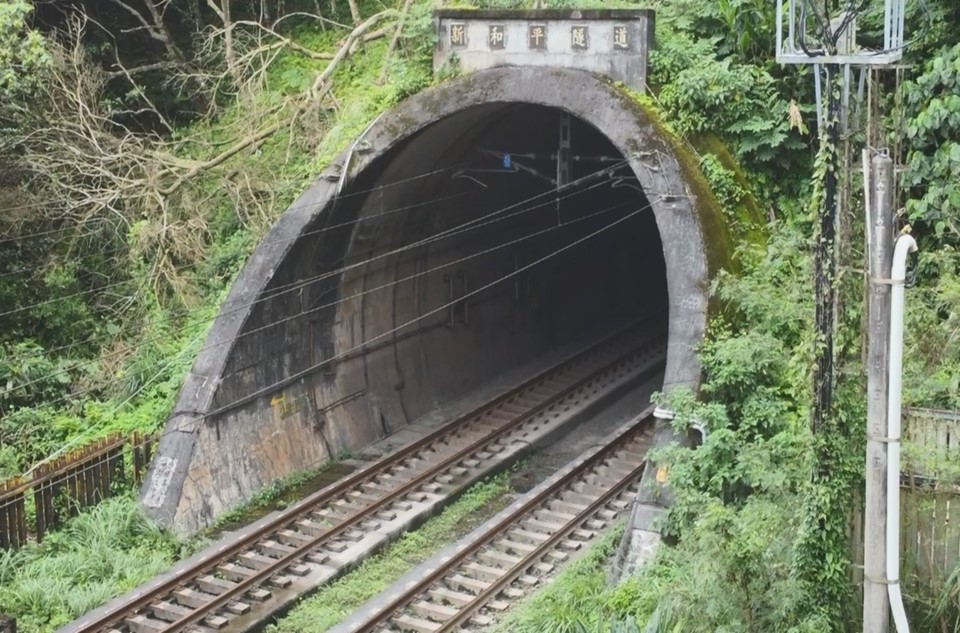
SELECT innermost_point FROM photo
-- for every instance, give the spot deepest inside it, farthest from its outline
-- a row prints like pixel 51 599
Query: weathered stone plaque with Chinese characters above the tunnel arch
pixel 612 42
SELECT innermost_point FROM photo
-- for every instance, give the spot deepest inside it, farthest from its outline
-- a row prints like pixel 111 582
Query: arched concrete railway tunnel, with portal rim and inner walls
pixel 470 230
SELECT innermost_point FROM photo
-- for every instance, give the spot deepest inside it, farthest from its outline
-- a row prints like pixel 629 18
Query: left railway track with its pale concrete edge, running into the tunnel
pixel 330 531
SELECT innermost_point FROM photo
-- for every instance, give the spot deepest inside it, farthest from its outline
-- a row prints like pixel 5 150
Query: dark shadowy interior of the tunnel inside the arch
pixel 473 247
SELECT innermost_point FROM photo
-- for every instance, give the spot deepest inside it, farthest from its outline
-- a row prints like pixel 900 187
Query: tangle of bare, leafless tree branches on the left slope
pixel 87 166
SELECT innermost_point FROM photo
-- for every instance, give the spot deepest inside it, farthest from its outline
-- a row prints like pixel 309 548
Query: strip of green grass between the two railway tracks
pixel 336 601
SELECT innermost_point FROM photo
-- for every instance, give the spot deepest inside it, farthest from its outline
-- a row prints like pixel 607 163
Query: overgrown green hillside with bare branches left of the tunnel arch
pixel 114 295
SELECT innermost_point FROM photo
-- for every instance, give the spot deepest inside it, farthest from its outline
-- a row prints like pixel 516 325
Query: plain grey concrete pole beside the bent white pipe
pixel 879 233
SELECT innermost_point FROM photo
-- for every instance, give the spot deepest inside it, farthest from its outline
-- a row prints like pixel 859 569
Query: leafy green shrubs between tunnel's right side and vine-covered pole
pixel 741 504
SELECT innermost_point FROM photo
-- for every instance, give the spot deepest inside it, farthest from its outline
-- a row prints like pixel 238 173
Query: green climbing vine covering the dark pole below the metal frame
pixel 822 555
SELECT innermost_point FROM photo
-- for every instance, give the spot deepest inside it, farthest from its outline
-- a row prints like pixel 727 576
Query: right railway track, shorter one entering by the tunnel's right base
pixel 510 557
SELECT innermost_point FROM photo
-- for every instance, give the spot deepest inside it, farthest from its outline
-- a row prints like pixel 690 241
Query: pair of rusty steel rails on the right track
pixel 464 612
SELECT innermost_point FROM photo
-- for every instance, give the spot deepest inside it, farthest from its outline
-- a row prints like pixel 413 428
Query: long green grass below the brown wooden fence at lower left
pixel 98 555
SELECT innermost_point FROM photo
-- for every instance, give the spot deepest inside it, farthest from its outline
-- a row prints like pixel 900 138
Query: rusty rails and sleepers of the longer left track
pixel 207 592
